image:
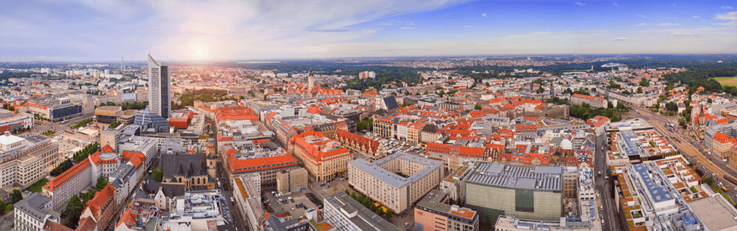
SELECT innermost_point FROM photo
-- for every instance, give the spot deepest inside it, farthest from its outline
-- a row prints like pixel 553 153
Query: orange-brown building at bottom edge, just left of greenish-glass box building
pixel 435 212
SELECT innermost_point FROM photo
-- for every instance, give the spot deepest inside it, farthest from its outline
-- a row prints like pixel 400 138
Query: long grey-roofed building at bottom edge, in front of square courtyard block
pixel 345 213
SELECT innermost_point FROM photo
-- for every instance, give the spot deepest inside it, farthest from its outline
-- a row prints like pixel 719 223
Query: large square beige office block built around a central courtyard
pixel 396 181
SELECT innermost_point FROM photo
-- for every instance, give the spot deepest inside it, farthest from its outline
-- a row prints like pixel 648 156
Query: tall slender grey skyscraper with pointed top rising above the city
pixel 159 88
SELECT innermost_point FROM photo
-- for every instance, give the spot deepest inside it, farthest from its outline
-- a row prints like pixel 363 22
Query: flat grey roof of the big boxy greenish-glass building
pixel 515 176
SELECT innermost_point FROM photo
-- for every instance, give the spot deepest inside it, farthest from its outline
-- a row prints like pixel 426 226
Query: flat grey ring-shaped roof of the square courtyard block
pixel 392 178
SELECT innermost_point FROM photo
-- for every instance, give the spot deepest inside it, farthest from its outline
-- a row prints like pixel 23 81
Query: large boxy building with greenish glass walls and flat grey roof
pixel 526 192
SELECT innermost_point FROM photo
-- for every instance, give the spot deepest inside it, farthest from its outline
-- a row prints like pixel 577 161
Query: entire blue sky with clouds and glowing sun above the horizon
pixel 102 31
